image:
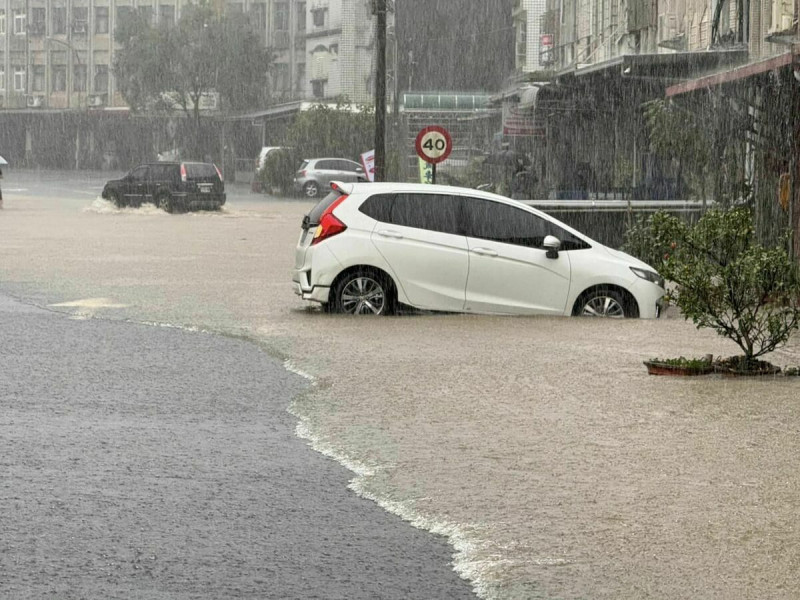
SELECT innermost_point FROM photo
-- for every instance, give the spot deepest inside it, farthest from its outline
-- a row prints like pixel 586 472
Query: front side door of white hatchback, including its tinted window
pixel 509 271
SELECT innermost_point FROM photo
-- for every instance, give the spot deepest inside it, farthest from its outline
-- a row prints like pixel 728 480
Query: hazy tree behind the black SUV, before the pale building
pixel 168 67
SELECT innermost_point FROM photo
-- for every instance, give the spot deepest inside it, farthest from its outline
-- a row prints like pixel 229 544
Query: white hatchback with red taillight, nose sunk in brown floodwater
pixel 365 248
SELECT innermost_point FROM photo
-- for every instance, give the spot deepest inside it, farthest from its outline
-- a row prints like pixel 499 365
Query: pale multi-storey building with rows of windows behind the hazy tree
pixel 58 54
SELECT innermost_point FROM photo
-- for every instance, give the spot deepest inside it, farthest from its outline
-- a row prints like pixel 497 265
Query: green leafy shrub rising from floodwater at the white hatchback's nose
pixel 724 279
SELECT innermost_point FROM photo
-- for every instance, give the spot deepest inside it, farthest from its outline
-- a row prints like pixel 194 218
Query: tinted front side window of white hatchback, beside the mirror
pixel 500 222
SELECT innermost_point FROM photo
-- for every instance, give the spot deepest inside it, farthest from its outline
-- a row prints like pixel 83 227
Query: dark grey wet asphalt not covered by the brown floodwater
pixel 139 461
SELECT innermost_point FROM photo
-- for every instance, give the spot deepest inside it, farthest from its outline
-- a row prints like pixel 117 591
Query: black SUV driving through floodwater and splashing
pixel 172 186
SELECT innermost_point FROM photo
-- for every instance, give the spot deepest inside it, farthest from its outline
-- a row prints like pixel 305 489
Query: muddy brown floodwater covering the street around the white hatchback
pixel 557 467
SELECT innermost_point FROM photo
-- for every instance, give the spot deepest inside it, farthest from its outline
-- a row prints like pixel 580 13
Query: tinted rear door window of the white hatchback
pixel 434 212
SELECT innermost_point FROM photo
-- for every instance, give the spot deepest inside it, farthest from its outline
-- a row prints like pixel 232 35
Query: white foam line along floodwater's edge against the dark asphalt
pixel 465 558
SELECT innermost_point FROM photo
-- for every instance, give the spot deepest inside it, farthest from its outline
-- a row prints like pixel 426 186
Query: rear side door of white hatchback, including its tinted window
pixel 423 242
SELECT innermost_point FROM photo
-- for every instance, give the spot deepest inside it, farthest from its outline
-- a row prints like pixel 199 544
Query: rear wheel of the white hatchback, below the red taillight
pixel 363 292
